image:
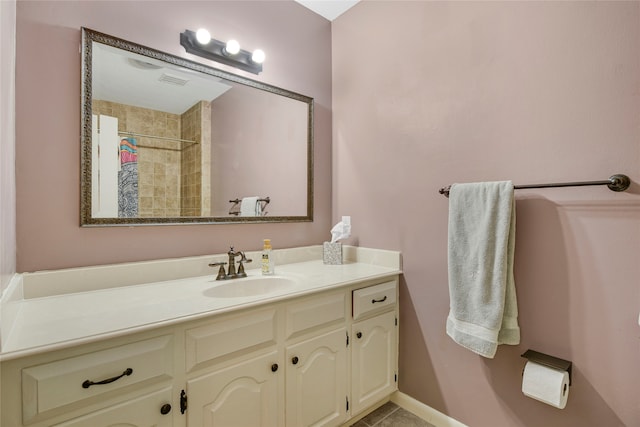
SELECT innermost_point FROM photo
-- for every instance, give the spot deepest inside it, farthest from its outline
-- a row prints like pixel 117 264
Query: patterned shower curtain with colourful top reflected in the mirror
pixel 128 179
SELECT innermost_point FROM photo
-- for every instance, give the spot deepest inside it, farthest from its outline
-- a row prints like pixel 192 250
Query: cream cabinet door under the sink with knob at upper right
pixel 245 394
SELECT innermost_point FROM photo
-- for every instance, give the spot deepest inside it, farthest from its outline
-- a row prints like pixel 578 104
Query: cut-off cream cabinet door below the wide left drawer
pixel 145 411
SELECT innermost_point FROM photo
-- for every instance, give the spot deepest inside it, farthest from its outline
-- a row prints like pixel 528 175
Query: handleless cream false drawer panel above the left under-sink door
pixel 224 338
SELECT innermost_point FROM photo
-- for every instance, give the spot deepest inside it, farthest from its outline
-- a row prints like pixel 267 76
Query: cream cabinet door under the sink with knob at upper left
pixel 316 381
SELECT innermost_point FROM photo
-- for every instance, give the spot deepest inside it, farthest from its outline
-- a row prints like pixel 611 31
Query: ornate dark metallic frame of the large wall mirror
pixel 86 218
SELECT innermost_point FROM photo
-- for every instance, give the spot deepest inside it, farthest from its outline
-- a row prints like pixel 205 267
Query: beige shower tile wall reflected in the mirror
pixel 172 181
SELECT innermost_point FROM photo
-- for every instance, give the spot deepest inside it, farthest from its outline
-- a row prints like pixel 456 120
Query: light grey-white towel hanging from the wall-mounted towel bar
pixel 484 310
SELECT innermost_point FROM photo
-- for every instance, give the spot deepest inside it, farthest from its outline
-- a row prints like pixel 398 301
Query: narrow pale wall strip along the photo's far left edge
pixel 7 143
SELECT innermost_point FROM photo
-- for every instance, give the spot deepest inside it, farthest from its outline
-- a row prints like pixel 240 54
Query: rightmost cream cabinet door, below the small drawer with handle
pixel 373 360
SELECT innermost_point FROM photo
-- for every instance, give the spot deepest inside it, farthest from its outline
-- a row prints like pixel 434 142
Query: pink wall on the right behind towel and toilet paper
pixel 430 93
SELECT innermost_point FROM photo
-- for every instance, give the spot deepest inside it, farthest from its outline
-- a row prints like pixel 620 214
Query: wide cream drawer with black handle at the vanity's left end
pixel 72 382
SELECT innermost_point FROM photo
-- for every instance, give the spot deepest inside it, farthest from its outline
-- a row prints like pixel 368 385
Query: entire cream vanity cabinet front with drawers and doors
pixel 312 360
